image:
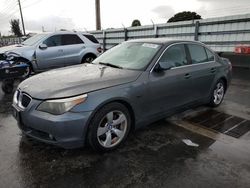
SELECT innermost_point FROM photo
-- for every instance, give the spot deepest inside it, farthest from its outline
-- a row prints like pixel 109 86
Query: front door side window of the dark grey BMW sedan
pixel 175 56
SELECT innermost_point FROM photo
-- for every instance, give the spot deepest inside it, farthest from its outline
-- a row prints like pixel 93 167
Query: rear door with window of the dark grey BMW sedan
pixel 204 68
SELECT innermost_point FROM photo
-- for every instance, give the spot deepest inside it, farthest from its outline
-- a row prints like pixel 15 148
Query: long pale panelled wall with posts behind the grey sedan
pixel 221 34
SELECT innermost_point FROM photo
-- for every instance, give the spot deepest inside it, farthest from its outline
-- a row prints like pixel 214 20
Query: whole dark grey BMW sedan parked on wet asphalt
pixel 129 86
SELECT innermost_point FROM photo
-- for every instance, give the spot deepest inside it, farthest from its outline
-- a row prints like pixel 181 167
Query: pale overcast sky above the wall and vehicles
pixel 54 15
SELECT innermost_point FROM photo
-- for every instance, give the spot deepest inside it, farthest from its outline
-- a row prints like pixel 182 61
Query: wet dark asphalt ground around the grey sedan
pixel 180 151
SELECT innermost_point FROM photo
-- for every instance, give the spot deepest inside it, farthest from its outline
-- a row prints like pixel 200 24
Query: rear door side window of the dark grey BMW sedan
pixel 197 53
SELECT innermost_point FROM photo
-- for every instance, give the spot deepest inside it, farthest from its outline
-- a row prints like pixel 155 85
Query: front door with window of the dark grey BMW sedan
pixel 171 88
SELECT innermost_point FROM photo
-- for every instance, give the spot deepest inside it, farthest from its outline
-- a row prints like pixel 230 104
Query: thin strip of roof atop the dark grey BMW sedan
pixel 162 40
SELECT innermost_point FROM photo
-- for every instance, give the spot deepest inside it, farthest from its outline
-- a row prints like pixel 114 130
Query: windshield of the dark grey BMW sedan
pixel 129 55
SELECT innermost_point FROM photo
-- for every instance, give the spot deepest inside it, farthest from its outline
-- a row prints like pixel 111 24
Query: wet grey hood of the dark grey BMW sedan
pixel 75 80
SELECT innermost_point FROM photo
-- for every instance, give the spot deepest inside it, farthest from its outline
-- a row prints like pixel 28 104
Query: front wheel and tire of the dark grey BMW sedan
pixel 109 127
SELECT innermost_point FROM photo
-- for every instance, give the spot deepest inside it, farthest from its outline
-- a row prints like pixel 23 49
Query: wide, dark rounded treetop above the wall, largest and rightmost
pixel 184 16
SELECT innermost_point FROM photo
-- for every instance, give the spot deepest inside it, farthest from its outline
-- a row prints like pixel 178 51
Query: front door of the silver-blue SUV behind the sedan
pixel 52 56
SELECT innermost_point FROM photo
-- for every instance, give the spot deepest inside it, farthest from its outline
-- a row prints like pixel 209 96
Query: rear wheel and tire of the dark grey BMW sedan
pixel 217 94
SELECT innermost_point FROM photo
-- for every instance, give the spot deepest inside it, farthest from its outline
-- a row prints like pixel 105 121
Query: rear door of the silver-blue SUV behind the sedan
pixel 72 48
